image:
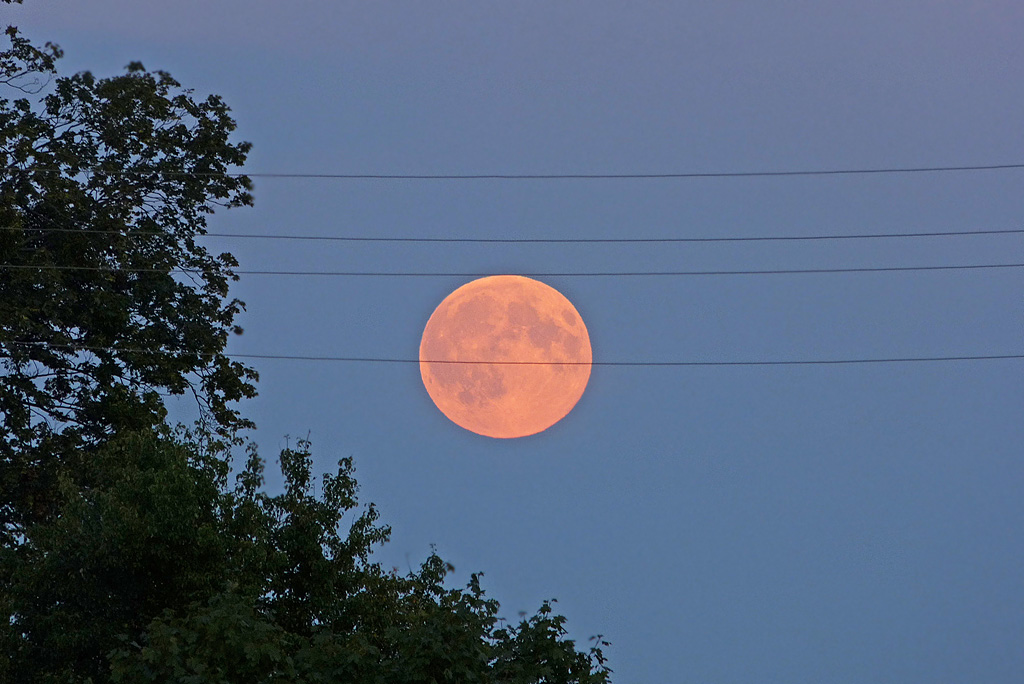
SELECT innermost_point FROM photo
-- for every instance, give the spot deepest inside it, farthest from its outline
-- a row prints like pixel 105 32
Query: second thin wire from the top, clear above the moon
pixel 563 241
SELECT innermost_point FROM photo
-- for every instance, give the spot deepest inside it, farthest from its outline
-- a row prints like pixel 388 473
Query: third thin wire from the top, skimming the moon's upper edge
pixel 663 274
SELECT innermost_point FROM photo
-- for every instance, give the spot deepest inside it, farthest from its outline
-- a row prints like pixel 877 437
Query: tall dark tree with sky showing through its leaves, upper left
pixel 107 298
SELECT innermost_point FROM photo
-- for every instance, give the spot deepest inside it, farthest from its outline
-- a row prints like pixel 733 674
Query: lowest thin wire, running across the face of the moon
pixel 383 360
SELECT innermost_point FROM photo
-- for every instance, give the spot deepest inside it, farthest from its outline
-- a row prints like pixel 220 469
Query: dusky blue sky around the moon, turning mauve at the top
pixel 717 525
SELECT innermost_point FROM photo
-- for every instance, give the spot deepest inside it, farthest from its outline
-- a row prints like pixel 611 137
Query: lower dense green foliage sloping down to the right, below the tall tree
pixel 164 574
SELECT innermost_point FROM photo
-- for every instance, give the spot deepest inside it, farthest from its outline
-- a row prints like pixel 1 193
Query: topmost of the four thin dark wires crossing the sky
pixel 550 177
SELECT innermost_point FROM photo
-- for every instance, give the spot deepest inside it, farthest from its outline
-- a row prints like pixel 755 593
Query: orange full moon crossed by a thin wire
pixel 505 357
